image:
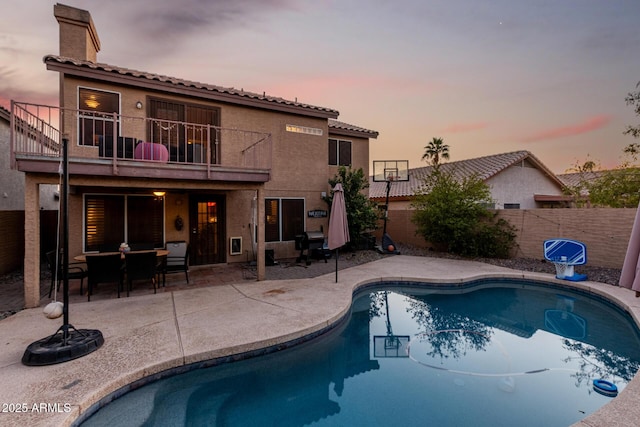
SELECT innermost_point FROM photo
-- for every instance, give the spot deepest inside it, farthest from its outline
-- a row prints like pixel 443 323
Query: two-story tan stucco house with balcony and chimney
pixel 155 159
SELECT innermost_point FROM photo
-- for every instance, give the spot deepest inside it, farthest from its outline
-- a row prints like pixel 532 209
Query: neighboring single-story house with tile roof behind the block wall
pixel 517 180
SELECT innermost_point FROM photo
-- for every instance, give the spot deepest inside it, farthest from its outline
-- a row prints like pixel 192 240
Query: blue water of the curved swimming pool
pixel 501 353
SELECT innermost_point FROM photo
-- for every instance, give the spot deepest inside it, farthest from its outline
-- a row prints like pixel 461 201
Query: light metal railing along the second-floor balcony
pixel 36 132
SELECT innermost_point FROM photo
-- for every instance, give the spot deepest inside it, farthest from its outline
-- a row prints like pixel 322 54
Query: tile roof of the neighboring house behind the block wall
pixel 484 167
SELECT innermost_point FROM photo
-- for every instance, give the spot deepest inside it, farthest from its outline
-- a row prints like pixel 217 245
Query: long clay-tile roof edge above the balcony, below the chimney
pixel 222 93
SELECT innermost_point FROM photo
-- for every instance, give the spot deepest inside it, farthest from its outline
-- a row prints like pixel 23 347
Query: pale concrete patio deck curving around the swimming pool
pixel 148 333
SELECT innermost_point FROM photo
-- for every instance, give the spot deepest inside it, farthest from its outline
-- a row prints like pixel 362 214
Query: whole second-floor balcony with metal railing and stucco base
pixel 113 145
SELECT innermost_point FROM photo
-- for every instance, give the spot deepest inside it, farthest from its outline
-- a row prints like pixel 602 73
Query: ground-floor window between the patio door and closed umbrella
pixel 284 219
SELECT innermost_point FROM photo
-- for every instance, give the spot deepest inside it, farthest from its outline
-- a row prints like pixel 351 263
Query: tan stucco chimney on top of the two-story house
pixel 78 36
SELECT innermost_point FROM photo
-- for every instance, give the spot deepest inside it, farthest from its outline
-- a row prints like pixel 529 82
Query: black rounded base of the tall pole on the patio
pixel 62 346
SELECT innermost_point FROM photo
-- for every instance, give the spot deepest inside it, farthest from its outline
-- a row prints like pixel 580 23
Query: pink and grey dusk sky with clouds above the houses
pixel 489 77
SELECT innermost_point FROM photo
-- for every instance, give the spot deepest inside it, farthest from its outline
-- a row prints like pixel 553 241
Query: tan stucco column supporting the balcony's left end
pixel 31 242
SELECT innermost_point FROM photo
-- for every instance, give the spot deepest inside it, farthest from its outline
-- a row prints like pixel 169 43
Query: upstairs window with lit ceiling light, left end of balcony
pixel 96 119
